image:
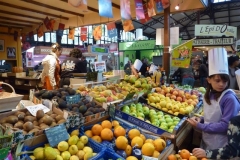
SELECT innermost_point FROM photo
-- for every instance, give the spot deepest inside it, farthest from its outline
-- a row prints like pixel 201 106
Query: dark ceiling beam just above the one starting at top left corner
pixel 52 7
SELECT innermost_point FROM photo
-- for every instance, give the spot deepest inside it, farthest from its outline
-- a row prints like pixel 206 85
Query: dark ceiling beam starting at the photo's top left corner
pixel 32 10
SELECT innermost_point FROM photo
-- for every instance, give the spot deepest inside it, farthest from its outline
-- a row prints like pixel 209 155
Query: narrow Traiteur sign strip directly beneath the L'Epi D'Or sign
pixel 213 42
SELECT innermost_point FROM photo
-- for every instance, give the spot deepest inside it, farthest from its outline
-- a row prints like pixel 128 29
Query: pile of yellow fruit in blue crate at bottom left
pixel 75 148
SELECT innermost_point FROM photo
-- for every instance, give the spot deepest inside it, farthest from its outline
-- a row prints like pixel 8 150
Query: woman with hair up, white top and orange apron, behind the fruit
pixel 51 68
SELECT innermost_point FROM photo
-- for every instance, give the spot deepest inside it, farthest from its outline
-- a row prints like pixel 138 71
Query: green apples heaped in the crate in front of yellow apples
pixel 156 118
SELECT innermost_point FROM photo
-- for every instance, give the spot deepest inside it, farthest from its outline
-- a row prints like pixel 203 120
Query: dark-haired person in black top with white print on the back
pixel 70 65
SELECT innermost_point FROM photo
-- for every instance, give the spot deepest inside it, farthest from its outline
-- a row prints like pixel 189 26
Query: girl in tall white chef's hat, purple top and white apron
pixel 219 104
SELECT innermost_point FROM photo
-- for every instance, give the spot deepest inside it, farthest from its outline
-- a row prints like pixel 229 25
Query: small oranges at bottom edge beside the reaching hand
pixel 184 154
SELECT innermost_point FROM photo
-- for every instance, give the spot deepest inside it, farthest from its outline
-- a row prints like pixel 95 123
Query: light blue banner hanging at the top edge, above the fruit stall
pixel 105 8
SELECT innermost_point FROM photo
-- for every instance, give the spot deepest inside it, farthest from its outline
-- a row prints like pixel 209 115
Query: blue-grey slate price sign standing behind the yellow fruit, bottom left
pixel 56 135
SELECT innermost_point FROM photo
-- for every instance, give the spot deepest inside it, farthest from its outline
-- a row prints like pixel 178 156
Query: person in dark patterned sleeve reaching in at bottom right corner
pixel 231 150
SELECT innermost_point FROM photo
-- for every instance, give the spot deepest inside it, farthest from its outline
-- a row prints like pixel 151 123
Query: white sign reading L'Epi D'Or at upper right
pixel 216 30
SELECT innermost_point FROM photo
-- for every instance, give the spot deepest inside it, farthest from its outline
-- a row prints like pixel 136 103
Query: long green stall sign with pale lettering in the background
pixel 137 45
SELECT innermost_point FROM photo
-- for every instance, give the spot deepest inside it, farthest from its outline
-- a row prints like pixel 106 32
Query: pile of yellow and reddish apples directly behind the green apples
pixel 173 101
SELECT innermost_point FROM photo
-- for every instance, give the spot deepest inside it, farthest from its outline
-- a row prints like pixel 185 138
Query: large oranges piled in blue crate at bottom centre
pixel 109 131
